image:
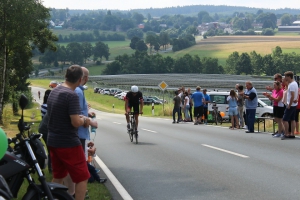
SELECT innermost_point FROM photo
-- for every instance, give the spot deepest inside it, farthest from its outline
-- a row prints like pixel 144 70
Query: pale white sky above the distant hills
pixel 134 4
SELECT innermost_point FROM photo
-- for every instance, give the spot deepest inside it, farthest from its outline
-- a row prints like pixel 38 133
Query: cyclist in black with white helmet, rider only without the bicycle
pixel 134 99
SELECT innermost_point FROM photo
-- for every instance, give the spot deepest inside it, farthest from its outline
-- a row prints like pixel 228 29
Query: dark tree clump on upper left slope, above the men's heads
pixel 74 53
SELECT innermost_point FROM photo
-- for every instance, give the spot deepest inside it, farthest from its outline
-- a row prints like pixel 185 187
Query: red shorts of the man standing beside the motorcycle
pixel 69 160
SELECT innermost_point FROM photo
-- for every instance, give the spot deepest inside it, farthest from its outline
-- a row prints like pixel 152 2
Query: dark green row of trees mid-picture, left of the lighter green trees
pixel 143 63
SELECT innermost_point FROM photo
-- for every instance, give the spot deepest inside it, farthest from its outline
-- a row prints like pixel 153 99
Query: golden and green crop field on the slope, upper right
pixel 222 46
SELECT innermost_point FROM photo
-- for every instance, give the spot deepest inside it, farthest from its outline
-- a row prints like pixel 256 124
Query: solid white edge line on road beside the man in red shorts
pixel 124 194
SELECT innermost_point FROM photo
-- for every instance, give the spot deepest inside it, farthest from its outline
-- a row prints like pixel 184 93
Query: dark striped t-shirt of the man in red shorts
pixel 62 103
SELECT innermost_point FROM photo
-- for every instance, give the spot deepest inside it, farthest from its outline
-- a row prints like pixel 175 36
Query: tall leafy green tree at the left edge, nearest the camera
pixel 23 27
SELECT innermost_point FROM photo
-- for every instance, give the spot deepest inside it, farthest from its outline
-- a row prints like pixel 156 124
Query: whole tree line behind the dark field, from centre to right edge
pixel 236 63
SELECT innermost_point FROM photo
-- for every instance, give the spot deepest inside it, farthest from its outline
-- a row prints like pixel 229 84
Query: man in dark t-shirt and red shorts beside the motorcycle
pixel 65 147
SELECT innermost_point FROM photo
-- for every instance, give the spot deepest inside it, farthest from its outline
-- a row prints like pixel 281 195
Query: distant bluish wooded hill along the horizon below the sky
pixel 195 9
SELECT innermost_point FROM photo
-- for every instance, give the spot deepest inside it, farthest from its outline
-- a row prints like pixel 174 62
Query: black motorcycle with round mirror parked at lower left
pixel 26 155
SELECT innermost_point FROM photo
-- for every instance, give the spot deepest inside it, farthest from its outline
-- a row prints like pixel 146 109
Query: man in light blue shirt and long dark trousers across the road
pixel 250 97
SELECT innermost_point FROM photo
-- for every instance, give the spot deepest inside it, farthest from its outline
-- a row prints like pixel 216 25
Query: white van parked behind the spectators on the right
pixel 262 110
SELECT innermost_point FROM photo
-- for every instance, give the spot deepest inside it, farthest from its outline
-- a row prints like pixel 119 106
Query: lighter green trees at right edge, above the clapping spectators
pixel 269 64
